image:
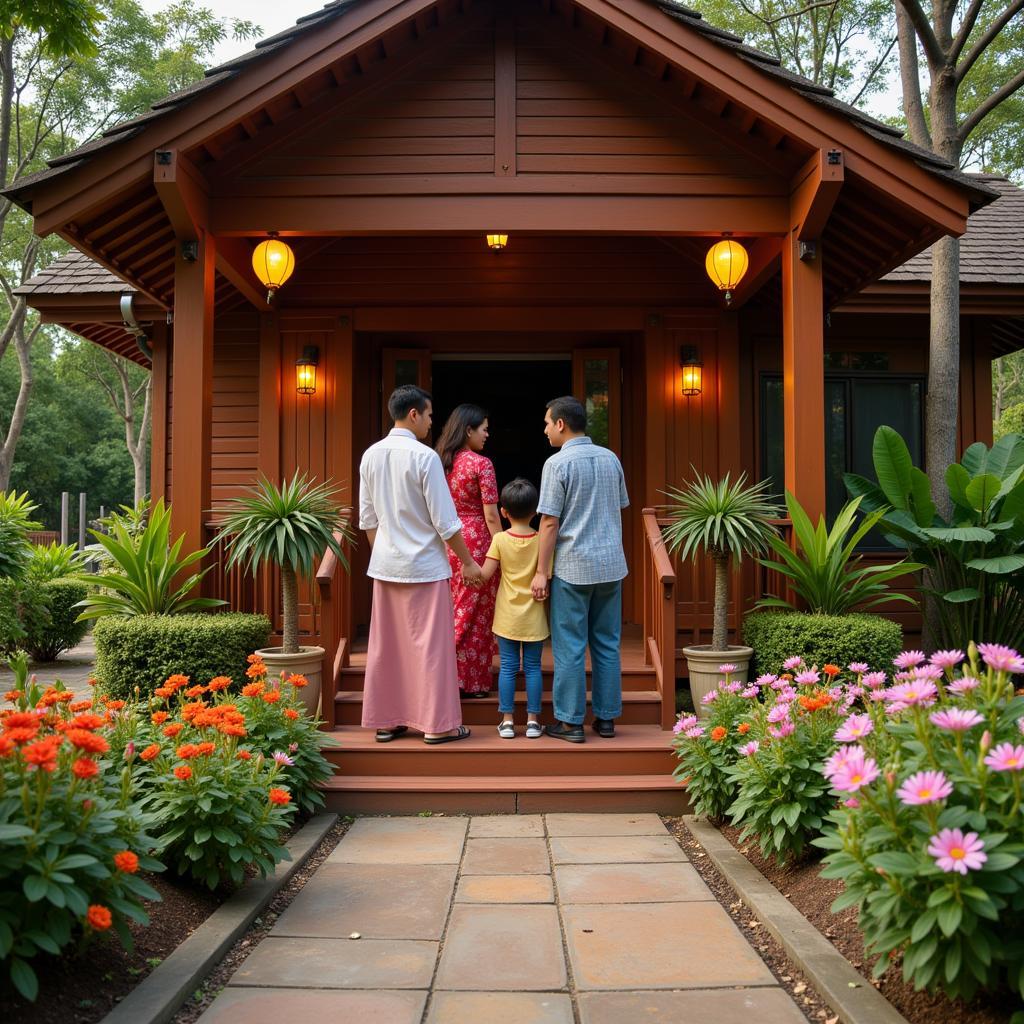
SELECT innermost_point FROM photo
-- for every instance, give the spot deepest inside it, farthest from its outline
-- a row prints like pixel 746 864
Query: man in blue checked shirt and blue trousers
pixel 583 493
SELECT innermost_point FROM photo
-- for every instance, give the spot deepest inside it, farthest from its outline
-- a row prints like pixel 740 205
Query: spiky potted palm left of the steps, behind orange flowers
pixel 290 526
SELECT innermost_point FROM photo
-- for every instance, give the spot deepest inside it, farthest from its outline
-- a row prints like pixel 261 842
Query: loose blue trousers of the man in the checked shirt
pixel 581 616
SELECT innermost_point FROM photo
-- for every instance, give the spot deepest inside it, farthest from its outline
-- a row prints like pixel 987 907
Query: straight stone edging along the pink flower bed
pixel 844 989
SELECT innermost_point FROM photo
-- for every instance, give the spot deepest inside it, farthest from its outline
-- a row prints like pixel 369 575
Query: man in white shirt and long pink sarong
pixel 406 508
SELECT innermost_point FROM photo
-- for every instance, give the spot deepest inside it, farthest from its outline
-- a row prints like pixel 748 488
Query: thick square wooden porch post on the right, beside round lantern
pixel 803 375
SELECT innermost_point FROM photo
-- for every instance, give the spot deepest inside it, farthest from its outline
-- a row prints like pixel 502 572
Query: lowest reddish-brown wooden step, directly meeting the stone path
pixel 504 794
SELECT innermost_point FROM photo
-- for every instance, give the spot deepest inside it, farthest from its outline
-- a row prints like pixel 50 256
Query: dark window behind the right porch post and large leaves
pixel 857 405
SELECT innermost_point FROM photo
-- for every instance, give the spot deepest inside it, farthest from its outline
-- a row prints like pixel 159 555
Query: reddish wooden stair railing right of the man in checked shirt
pixel 660 614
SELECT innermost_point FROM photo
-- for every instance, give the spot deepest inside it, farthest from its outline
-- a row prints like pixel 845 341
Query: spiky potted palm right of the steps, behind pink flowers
pixel 728 520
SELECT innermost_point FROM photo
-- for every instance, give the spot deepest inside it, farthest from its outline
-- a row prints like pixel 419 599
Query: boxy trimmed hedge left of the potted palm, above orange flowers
pixel 144 651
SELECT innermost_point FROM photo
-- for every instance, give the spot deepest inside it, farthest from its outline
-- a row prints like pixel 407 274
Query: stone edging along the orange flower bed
pixel 158 998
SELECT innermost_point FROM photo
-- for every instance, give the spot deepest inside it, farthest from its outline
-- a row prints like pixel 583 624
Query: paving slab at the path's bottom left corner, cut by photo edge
pixel 272 1006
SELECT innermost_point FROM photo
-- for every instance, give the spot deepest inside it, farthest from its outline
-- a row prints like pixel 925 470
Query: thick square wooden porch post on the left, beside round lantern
pixel 193 389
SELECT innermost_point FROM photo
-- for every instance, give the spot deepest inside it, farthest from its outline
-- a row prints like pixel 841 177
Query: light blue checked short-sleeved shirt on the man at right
pixel 583 487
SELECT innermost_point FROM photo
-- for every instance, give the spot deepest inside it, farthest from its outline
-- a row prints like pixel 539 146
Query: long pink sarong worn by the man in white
pixel 412 678
